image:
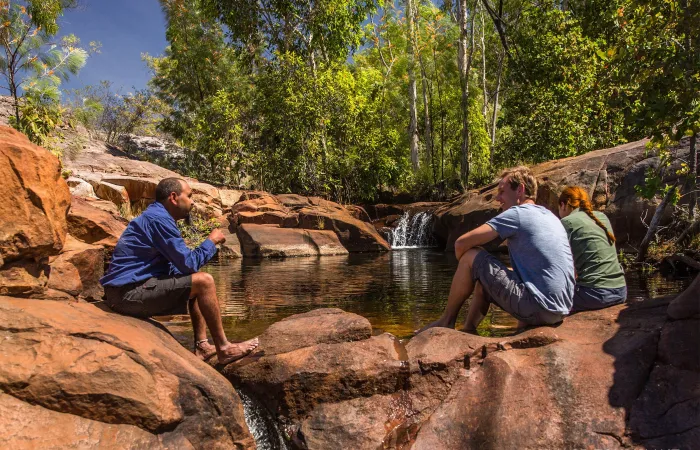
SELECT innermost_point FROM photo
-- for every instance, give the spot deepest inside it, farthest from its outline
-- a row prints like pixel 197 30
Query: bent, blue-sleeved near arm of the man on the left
pixel 168 241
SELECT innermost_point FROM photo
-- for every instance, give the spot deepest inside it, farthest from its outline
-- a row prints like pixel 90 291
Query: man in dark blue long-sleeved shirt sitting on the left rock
pixel 153 273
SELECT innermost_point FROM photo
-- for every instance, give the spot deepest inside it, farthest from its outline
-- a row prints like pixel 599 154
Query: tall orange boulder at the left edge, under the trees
pixel 35 199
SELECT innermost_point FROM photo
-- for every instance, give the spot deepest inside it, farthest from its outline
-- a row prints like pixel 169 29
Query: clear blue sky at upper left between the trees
pixel 126 28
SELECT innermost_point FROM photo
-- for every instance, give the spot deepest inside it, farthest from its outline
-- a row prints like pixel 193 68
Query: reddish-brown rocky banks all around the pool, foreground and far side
pixel 75 375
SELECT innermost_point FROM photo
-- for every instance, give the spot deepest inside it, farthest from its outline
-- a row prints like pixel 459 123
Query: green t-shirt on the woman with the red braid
pixel 594 258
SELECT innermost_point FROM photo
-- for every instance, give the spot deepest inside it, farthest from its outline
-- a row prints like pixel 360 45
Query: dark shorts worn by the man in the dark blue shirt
pixel 153 297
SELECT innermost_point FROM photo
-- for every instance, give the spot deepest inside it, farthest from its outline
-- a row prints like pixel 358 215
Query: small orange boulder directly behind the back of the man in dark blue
pixel 78 269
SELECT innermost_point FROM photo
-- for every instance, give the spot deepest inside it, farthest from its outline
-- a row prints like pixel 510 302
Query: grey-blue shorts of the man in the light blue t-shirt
pixel 503 287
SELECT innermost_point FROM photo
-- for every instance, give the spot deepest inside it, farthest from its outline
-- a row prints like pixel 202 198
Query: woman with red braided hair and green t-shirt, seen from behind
pixel 600 281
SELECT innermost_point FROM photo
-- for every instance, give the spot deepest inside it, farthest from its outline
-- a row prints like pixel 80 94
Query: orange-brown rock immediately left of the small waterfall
pixel 355 235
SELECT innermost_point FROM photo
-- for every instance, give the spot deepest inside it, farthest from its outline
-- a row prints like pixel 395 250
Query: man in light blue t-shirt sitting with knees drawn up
pixel 539 289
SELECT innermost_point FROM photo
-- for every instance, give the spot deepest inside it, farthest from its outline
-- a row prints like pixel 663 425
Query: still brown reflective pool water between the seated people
pixel 397 292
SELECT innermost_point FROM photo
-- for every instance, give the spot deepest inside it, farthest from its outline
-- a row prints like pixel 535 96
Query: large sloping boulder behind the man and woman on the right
pixel 608 175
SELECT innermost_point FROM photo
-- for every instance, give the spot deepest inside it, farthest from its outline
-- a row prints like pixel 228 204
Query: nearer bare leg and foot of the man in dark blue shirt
pixel 204 290
